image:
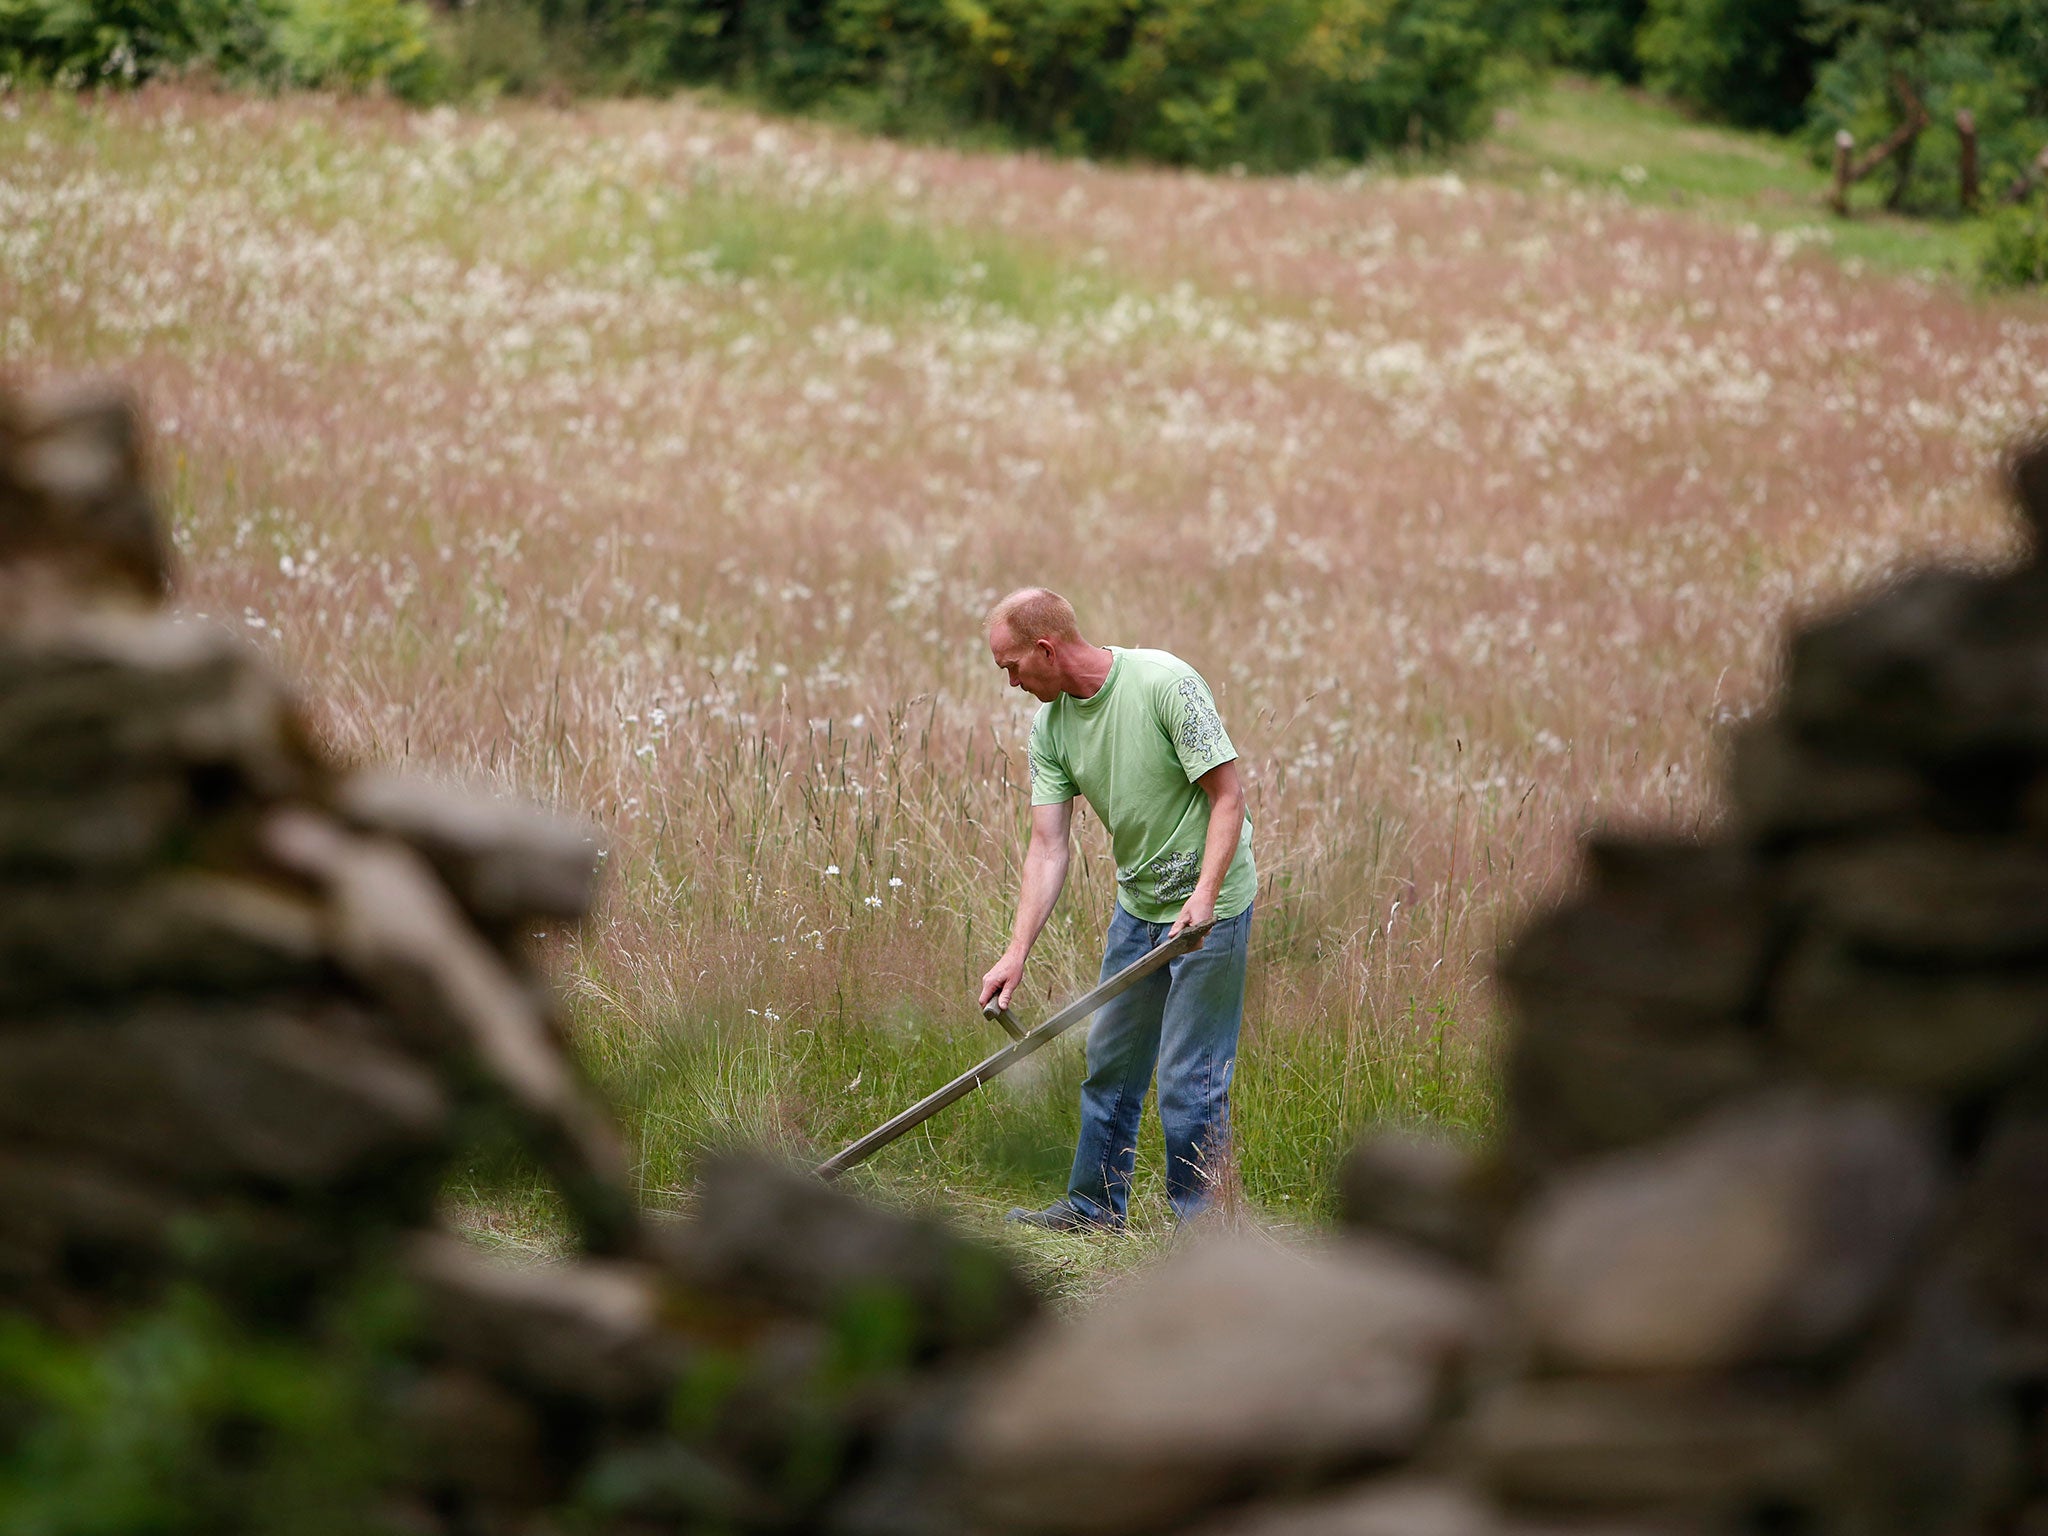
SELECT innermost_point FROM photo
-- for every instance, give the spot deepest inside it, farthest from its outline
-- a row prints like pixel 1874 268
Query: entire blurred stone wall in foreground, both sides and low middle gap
pixel 1758 1248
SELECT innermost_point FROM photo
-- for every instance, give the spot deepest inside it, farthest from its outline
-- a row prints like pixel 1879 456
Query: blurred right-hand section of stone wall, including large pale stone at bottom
pixel 1764 1240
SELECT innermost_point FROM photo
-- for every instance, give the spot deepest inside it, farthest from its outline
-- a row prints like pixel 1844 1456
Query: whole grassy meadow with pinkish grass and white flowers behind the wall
pixel 658 462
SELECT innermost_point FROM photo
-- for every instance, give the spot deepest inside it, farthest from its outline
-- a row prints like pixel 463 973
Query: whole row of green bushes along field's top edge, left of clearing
pixel 1205 83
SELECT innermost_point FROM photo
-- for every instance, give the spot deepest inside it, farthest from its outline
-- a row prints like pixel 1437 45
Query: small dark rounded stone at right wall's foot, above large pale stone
pixel 1418 1187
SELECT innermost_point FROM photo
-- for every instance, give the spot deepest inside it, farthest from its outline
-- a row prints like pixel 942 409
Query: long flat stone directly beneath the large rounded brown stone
pixel 1693 1449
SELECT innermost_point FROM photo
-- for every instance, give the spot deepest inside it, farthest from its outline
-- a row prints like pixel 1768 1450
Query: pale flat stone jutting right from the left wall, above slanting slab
pixel 505 863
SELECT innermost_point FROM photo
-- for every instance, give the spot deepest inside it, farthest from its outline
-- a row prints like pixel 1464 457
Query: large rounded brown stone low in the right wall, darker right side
pixel 1766 1234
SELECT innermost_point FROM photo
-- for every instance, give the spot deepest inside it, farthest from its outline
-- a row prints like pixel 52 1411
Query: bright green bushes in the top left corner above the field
pixel 335 44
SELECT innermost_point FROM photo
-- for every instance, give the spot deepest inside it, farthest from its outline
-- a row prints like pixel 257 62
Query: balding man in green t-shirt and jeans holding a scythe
pixel 1138 734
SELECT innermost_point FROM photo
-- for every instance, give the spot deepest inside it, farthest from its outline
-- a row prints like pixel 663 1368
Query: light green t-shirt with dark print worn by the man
pixel 1136 749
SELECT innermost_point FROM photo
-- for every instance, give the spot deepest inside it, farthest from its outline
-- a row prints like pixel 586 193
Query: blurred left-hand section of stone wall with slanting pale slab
pixel 251 1005
